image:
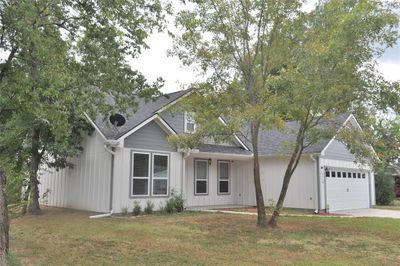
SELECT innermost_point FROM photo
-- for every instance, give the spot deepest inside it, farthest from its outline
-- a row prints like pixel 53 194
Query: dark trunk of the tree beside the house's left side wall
pixel 34 206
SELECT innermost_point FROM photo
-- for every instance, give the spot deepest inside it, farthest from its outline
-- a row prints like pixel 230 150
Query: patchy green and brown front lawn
pixel 64 237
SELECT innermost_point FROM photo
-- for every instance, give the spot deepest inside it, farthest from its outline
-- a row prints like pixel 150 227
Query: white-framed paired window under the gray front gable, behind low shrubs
pixel 150 174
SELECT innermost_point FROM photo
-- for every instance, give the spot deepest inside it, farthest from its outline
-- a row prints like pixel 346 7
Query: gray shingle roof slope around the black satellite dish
pixel 144 111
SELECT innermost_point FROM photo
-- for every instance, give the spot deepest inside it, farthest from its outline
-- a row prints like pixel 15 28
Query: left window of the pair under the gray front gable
pixel 140 174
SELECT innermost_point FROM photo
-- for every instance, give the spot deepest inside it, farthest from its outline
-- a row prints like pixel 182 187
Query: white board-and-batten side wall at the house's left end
pixel 86 186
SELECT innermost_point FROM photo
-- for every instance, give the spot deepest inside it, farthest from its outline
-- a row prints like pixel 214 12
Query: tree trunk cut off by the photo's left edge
pixel 4 222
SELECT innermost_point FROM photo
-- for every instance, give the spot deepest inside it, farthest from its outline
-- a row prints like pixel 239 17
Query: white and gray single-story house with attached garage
pixel 132 161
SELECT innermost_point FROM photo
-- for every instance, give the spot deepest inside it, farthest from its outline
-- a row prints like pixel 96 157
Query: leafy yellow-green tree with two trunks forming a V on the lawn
pixel 268 62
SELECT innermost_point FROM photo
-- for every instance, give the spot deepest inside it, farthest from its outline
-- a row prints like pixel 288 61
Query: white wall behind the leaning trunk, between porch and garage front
pixel 302 187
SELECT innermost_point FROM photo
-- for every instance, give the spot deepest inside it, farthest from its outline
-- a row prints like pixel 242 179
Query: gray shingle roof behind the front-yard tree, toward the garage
pixel 274 142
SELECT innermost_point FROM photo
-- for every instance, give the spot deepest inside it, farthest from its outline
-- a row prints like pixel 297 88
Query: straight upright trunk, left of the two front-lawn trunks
pixel 261 221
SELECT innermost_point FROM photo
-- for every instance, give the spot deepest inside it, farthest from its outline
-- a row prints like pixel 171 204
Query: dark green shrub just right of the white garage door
pixel 384 184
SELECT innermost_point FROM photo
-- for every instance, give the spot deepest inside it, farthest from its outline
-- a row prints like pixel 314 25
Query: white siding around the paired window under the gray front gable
pixel 122 179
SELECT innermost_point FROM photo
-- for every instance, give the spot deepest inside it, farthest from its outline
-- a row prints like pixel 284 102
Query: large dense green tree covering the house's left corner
pixel 62 59
